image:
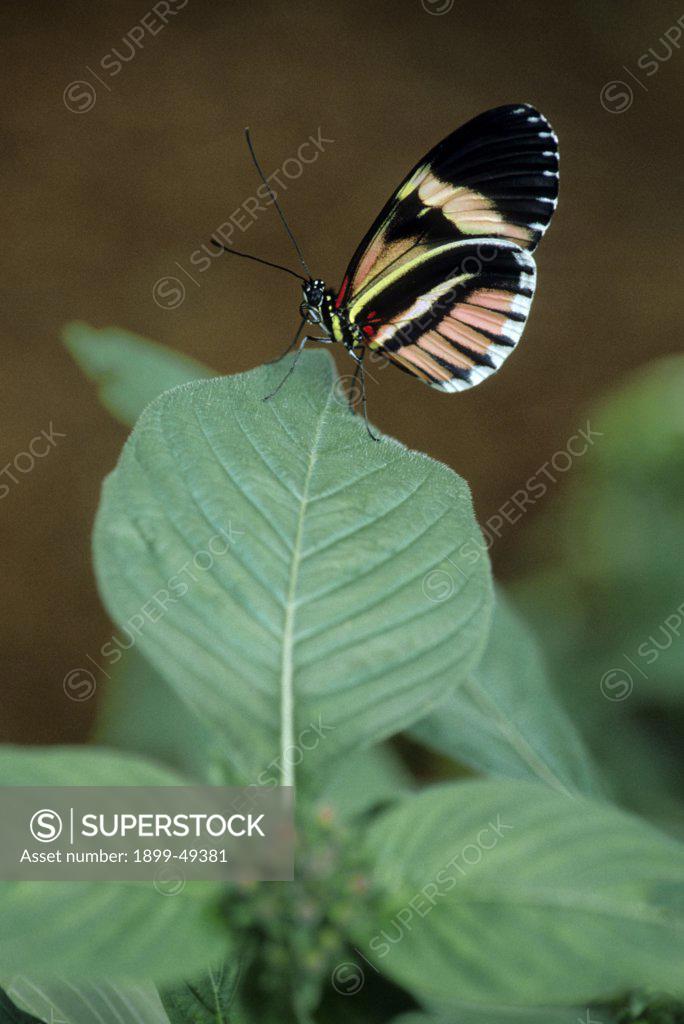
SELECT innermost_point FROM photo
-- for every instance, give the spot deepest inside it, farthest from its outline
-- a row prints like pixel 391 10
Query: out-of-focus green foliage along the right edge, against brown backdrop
pixel 608 602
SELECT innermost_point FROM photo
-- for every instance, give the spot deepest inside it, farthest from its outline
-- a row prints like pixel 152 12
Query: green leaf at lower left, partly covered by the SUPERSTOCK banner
pixel 102 930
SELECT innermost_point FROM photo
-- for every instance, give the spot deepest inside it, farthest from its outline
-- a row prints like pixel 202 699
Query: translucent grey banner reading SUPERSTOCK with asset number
pixel 167 835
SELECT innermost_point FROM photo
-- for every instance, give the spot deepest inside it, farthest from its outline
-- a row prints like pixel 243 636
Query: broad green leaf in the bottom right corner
pixel 524 897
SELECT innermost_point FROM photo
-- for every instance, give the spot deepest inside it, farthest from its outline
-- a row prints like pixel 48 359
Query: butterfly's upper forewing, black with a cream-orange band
pixel 496 177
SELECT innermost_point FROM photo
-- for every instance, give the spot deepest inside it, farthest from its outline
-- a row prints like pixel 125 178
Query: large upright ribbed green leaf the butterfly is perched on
pixel 271 561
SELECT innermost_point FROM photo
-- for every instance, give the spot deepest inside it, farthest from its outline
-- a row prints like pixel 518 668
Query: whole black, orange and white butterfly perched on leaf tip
pixel 443 283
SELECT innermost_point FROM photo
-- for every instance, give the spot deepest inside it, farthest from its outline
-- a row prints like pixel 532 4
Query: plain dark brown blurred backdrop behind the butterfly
pixel 102 204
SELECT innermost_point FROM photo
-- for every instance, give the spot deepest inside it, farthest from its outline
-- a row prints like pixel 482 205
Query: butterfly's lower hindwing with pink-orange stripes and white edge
pixel 454 315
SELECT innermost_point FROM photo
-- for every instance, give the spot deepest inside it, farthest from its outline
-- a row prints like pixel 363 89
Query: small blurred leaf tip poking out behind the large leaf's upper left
pixel 130 371
